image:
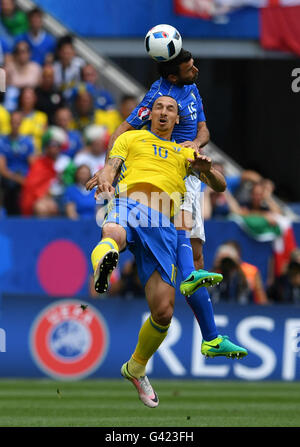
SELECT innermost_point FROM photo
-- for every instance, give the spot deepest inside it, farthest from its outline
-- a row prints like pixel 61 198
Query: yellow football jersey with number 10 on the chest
pixel 151 159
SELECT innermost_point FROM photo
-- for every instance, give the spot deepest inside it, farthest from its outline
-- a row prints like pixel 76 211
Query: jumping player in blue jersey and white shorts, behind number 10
pixel 177 79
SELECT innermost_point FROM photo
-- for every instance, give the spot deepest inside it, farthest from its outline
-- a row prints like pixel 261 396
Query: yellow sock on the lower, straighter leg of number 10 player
pixel 151 336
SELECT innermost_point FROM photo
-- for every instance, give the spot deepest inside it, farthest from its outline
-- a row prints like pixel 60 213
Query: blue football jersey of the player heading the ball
pixel 190 108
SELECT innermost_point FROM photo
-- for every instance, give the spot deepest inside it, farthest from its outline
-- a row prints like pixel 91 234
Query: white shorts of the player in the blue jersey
pixel 193 203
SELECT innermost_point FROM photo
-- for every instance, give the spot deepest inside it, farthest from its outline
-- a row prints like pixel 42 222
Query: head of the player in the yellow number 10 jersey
pixel 164 115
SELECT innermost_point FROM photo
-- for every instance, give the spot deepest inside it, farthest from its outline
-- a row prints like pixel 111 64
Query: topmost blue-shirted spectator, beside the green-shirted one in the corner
pixel 42 45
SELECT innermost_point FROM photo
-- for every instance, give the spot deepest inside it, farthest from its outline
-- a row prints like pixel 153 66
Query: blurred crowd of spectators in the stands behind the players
pixel 55 124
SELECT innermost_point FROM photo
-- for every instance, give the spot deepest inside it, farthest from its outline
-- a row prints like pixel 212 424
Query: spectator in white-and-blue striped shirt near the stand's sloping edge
pixel 67 68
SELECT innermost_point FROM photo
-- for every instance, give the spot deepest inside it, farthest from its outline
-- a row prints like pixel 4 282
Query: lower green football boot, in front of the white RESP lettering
pixel 222 346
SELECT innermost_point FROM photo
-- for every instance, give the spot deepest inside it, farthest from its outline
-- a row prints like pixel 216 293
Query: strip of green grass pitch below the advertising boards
pixel 183 403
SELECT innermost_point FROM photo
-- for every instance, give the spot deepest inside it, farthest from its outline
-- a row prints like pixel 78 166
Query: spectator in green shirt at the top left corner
pixel 14 20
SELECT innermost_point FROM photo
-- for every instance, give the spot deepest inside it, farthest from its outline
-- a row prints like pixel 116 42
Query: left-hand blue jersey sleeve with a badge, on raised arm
pixel 140 115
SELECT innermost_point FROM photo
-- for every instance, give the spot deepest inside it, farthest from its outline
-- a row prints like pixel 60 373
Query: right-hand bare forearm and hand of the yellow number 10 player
pixel 207 173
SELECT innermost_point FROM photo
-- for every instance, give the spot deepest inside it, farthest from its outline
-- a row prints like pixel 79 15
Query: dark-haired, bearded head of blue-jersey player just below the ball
pixel 180 70
